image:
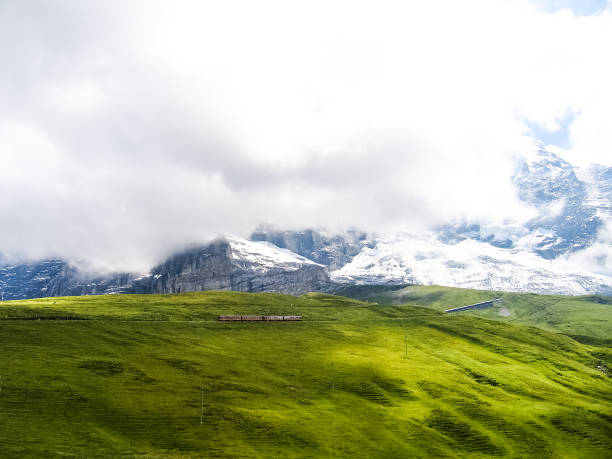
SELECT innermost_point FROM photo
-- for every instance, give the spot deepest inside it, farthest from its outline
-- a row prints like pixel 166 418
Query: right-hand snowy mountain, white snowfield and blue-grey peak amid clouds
pixel 574 214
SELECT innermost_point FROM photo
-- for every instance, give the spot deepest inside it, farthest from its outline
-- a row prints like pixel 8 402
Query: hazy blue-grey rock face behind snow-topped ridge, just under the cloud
pixel 333 252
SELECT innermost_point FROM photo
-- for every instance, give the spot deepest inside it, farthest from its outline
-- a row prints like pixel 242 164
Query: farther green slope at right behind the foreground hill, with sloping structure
pixel 581 317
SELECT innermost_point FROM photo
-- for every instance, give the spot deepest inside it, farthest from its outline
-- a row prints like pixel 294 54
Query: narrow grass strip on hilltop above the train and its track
pixel 199 306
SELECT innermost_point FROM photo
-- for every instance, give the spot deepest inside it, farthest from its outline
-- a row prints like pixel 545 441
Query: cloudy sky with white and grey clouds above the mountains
pixel 128 128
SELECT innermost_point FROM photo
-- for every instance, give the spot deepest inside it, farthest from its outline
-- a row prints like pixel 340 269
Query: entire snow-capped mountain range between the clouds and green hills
pixel 573 223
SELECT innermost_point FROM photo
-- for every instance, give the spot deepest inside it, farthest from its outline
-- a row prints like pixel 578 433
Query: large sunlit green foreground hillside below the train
pixel 157 376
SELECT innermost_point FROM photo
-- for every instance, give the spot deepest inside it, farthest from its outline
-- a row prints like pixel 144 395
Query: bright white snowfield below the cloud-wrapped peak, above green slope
pixel 423 259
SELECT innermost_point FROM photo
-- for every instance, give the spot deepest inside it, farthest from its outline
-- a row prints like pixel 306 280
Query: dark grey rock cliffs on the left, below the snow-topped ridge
pixel 216 266
